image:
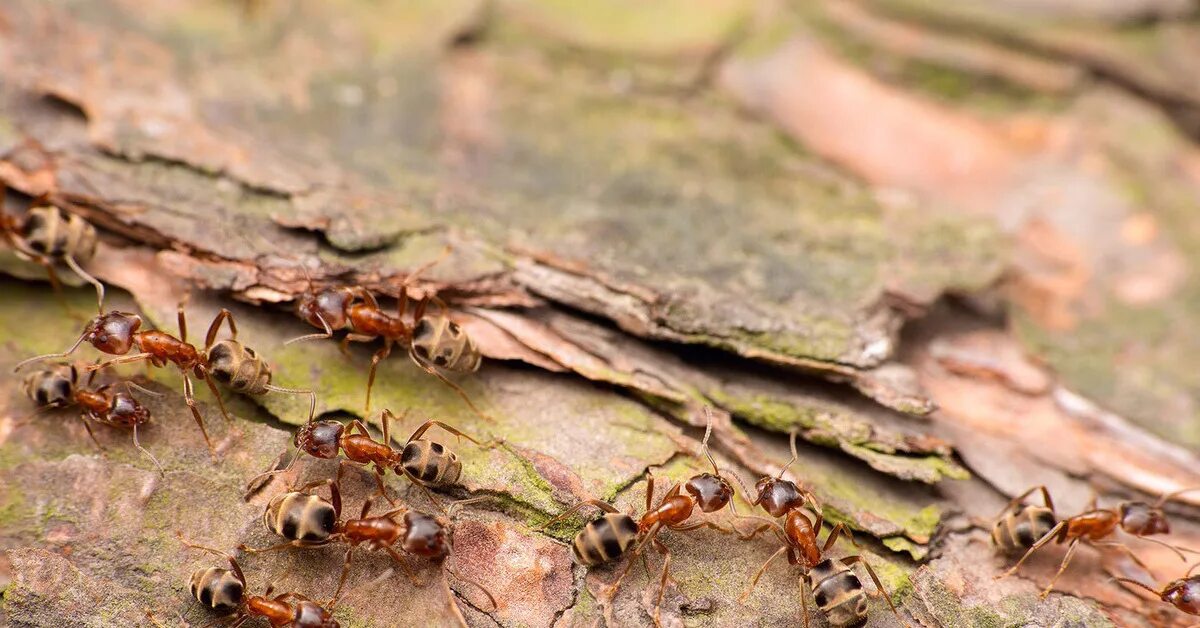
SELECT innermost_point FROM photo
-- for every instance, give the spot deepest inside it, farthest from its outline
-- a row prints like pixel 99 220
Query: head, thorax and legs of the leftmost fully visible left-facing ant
pixel 118 333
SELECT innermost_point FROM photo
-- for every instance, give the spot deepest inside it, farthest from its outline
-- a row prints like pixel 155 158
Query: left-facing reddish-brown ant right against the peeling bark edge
pixel 434 342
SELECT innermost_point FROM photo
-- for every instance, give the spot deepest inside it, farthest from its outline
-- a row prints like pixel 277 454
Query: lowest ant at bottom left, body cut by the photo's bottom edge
pixel 225 591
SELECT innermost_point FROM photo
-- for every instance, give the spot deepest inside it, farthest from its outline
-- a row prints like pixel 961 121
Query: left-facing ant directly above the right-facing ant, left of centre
pixel 424 463
